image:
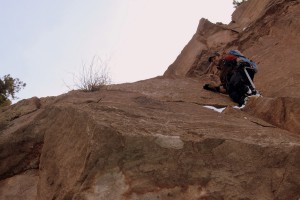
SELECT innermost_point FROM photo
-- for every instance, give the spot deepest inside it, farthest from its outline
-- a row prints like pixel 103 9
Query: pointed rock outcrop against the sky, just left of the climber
pixel 193 58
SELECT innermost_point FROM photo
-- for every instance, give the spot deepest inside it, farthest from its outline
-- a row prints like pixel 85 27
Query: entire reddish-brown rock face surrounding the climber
pixel 154 139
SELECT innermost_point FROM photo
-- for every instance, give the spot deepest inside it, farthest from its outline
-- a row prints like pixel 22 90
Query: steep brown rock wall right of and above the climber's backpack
pixel 273 41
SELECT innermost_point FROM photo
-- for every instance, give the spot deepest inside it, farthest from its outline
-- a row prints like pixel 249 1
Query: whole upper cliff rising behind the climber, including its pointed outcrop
pixel 268 34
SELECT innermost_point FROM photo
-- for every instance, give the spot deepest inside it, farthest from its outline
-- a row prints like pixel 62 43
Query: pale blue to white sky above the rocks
pixel 46 42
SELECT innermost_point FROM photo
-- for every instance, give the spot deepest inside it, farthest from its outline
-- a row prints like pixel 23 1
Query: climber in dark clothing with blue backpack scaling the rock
pixel 235 80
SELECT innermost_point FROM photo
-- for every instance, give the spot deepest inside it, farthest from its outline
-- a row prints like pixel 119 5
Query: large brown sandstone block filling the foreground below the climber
pixel 127 146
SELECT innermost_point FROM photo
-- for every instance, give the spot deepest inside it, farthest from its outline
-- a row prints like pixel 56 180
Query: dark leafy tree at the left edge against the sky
pixel 8 88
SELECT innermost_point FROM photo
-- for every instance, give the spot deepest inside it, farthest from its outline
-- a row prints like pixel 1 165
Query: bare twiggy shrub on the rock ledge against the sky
pixel 94 76
